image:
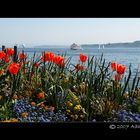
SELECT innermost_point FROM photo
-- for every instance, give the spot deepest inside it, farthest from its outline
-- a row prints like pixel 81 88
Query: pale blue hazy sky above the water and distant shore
pixel 65 31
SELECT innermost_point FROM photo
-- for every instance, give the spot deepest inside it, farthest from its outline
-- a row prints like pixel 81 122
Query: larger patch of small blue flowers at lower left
pixel 36 114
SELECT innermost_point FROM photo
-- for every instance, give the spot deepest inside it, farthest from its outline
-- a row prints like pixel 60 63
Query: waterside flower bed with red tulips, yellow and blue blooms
pixel 51 89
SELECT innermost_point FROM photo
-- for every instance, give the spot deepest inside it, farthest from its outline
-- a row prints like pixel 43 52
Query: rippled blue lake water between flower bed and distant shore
pixel 121 54
